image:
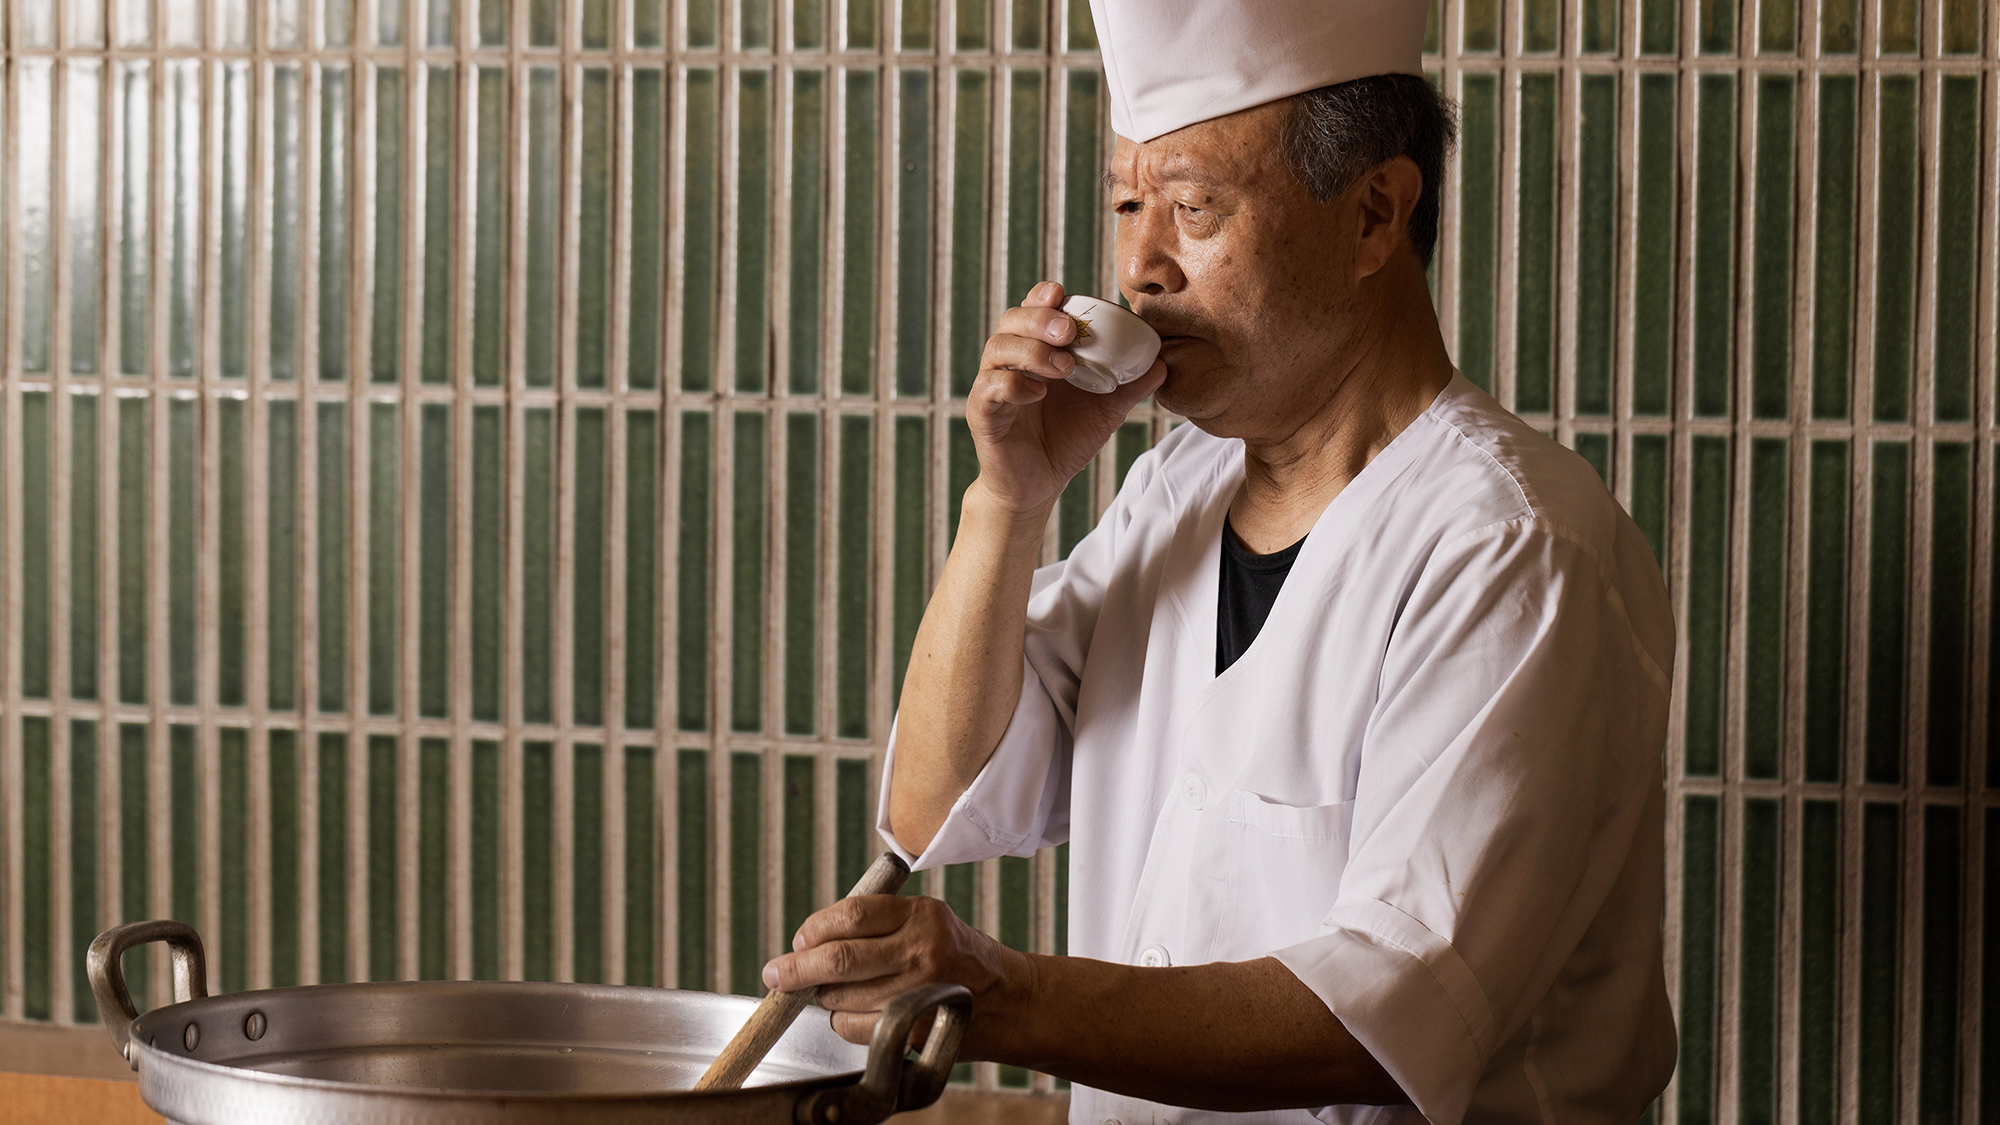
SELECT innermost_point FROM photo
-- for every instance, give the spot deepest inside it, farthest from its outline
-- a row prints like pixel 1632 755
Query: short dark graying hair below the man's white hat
pixel 1339 133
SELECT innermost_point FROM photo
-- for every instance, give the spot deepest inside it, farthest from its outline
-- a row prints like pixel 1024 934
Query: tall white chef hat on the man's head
pixel 1175 63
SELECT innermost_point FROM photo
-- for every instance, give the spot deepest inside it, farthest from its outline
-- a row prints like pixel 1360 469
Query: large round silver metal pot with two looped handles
pixel 497 1052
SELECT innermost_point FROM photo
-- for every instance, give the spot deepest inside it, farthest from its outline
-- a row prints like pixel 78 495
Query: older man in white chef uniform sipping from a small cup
pixel 1351 708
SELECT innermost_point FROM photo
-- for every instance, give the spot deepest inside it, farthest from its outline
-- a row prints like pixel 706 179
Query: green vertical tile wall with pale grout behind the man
pixel 471 473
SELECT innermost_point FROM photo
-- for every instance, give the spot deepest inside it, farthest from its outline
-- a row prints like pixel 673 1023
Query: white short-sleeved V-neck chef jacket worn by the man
pixel 1431 788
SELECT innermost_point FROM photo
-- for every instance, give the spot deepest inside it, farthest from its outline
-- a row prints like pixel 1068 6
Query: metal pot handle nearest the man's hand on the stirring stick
pixel 891 1082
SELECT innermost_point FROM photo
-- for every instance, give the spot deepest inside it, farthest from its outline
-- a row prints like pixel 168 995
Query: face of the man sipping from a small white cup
pixel 1247 279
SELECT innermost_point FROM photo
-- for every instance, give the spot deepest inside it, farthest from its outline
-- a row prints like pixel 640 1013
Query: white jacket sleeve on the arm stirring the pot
pixel 1509 768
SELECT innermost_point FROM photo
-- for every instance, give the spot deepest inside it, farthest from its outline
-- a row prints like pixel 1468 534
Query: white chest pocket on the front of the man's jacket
pixel 1287 874
